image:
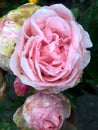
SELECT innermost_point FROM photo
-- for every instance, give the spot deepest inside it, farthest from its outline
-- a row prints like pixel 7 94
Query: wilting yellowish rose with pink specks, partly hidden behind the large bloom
pixel 10 25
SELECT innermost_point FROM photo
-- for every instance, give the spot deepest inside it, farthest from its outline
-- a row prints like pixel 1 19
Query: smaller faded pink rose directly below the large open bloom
pixel 43 111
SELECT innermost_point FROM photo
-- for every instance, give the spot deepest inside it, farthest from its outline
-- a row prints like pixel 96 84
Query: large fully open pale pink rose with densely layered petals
pixel 51 50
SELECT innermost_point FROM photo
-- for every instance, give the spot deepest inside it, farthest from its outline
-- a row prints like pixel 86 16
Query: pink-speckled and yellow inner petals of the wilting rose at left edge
pixel 8 35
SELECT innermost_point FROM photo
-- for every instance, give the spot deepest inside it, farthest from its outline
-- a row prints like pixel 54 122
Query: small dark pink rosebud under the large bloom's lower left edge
pixel 20 88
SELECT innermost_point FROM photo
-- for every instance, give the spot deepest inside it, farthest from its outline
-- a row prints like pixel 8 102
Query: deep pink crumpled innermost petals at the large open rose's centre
pixel 52 52
